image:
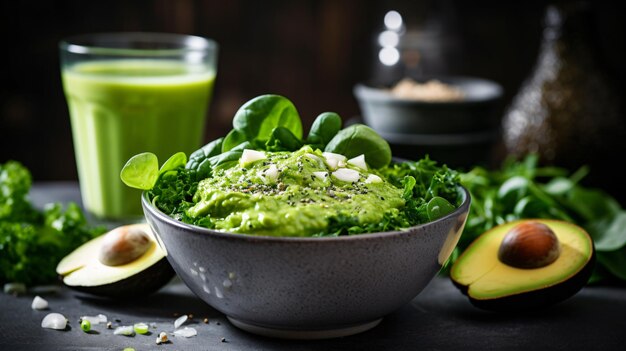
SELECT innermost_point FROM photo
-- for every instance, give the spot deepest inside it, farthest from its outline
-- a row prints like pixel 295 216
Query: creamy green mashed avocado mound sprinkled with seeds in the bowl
pixel 297 202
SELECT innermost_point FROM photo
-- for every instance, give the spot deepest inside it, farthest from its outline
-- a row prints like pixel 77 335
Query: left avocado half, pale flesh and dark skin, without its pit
pixel 83 271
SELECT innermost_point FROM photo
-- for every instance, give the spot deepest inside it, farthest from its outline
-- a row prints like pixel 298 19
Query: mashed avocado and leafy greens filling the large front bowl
pixel 265 177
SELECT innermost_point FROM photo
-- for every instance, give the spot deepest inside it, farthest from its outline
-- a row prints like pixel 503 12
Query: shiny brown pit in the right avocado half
pixel 529 245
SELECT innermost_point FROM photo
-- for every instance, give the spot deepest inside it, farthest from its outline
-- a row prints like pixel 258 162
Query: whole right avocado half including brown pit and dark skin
pixel 525 265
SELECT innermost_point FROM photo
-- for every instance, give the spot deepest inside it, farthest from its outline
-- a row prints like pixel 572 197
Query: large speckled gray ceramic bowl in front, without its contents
pixel 307 287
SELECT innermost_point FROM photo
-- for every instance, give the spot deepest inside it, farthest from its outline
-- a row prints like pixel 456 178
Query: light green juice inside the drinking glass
pixel 120 108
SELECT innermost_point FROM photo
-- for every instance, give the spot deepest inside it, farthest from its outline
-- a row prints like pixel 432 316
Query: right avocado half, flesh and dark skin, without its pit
pixel 493 285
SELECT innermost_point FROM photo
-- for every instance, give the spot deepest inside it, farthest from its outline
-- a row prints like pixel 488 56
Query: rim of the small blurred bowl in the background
pixel 368 93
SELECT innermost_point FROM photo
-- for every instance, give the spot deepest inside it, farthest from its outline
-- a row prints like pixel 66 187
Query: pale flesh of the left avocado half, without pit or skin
pixel 82 268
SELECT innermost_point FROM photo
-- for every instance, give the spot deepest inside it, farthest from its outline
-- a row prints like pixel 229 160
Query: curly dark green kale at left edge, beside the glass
pixel 32 242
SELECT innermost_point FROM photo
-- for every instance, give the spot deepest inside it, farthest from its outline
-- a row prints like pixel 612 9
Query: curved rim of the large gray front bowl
pixel 194 229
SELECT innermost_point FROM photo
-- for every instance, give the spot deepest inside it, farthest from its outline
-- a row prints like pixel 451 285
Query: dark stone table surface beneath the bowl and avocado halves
pixel 440 318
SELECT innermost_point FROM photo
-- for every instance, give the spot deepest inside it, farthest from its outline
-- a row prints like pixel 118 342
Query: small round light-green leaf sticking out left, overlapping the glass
pixel 141 171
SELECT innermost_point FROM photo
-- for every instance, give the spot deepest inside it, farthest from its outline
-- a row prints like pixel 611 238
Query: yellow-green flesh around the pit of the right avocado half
pixel 485 277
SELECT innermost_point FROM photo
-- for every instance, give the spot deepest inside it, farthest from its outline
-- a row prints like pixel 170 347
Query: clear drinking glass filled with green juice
pixel 129 93
